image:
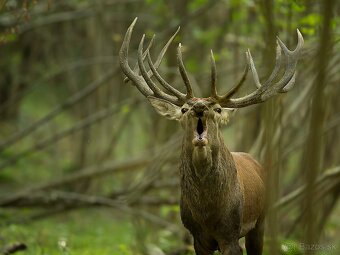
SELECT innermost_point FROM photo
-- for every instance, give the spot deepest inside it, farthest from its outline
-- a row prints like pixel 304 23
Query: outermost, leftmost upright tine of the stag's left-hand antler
pixel 124 64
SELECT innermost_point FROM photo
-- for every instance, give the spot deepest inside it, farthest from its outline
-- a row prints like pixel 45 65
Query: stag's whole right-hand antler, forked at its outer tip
pixel 269 88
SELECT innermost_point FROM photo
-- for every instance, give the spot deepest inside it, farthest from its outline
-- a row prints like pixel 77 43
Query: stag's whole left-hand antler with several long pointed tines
pixel 143 81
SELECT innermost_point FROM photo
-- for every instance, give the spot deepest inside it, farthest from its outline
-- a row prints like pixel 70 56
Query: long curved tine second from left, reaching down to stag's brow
pixel 158 93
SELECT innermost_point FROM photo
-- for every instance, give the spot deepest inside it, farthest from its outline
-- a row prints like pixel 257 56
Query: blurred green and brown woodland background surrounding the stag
pixel 88 167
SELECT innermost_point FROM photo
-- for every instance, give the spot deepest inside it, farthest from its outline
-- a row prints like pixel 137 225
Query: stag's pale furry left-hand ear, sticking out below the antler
pixel 165 108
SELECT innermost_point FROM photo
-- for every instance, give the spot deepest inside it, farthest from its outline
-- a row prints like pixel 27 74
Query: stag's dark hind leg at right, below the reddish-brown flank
pixel 254 239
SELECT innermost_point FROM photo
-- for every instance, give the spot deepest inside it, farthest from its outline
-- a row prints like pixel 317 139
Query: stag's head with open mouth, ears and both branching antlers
pixel 201 117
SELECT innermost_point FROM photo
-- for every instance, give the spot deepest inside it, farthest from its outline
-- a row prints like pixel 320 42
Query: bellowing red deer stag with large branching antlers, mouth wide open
pixel 222 192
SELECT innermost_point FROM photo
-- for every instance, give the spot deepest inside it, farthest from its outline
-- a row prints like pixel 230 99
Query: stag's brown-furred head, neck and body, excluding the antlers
pixel 222 193
